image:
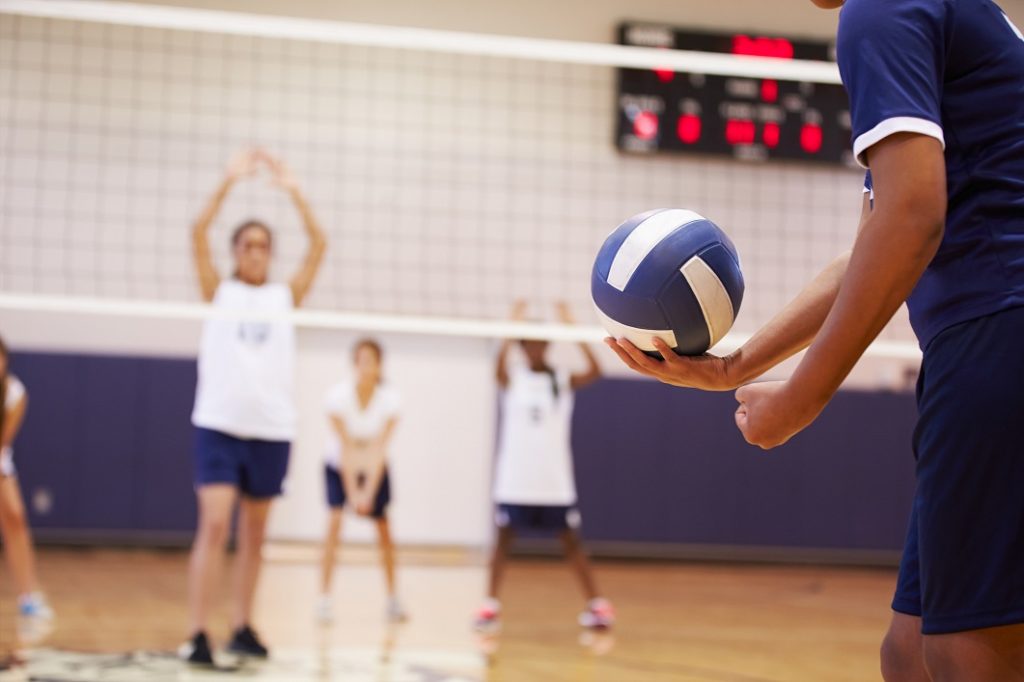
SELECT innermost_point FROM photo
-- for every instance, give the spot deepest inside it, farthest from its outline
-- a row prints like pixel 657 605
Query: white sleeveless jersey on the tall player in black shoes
pixel 246 367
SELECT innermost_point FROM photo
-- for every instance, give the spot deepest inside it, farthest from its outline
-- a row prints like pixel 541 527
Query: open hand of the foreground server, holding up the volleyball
pixel 709 373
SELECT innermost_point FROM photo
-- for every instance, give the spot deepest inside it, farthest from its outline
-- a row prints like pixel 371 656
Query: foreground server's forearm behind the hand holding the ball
pixel 793 329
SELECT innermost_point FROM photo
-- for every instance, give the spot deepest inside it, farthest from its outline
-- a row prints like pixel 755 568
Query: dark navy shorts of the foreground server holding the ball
pixel 963 566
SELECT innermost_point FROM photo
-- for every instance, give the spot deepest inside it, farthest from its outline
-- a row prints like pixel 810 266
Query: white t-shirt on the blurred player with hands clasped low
pixel 362 424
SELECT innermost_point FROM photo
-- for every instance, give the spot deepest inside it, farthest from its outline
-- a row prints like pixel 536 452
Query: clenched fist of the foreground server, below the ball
pixel 772 413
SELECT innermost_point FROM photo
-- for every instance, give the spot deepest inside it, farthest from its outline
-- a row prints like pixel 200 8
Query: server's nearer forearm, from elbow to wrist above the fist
pixel 891 253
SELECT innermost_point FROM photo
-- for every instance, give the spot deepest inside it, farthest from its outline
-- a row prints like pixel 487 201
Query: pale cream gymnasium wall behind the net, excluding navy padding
pixel 72 228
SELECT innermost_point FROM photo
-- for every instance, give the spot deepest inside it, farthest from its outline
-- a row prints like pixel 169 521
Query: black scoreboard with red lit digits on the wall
pixel 743 118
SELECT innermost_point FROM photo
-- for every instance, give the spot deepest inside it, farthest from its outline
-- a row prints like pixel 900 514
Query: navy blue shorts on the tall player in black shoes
pixel 258 468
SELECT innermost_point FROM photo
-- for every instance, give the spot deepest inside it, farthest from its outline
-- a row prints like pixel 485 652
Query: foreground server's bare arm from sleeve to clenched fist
pixel 898 242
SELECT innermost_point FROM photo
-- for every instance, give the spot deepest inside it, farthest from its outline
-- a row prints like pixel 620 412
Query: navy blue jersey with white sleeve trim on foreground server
pixel 953 70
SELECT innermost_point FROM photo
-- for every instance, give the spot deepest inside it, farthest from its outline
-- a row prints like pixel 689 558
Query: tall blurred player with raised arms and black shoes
pixel 244 414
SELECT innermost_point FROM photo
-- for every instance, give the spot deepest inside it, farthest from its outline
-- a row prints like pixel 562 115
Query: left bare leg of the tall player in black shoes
pixel 216 505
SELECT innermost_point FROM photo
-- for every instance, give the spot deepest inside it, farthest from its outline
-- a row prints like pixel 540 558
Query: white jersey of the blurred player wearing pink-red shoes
pixel 535 460
